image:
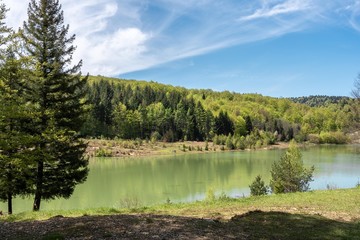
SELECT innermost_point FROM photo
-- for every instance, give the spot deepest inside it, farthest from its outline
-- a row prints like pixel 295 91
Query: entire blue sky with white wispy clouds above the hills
pixel 277 48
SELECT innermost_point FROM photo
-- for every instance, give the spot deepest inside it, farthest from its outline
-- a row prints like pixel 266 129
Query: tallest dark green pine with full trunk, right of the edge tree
pixel 57 89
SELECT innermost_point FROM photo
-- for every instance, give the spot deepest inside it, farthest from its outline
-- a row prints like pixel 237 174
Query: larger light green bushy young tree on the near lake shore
pixel 289 174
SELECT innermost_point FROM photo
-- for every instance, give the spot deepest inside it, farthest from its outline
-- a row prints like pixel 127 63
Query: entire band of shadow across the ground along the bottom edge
pixel 252 225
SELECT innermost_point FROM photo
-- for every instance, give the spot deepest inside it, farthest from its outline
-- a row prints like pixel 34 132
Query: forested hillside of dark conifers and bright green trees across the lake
pixel 131 109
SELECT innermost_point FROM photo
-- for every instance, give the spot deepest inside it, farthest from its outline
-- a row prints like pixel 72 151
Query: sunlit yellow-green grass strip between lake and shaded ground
pixel 340 204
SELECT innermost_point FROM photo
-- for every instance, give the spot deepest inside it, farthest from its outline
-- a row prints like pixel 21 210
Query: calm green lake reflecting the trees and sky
pixel 116 182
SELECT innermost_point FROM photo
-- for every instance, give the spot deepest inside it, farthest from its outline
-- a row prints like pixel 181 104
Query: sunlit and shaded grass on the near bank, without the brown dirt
pixel 328 214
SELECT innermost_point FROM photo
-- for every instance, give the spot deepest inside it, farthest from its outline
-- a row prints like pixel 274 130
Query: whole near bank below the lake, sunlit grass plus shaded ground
pixel 331 214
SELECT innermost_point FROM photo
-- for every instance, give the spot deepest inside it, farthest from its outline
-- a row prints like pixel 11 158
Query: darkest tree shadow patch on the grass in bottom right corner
pixel 280 225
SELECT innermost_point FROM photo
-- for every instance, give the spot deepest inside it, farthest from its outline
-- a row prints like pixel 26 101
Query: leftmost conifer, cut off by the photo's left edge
pixel 15 143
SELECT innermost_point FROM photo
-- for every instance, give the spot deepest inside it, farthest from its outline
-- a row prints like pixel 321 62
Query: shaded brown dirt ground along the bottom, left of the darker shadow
pixel 121 227
